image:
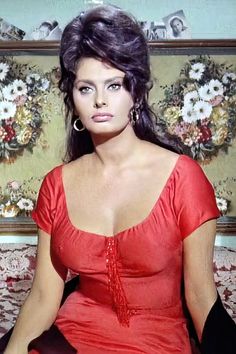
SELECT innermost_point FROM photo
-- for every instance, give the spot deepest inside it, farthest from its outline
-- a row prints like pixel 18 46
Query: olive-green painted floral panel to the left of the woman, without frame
pixel 31 129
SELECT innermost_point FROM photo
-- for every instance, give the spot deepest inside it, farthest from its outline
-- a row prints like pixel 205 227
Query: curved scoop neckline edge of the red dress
pixel 133 227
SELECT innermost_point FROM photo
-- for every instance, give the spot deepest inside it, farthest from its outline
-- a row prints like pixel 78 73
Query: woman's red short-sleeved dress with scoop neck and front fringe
pixel 129 296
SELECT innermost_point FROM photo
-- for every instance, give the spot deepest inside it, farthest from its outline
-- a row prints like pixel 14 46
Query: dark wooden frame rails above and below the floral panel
pixel 226 225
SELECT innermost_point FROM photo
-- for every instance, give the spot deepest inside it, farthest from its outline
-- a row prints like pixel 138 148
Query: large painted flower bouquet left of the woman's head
pixel 23 96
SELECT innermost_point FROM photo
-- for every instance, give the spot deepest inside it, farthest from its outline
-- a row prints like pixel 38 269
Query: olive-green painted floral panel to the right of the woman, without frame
pixel 194 98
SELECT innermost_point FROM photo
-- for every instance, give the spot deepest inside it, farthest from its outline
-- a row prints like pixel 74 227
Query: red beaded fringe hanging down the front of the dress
pixel 114 284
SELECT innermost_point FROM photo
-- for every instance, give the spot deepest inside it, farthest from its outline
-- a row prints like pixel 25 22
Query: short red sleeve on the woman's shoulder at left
pixel 45 209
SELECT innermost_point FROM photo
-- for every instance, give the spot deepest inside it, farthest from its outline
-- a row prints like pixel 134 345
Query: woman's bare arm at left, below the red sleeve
pixel 41 306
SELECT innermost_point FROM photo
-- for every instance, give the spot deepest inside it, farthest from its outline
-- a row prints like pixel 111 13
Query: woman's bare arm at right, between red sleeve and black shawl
pixel 200 289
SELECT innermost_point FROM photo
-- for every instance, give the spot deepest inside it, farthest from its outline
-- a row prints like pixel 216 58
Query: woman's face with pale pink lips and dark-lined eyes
pixel 100 98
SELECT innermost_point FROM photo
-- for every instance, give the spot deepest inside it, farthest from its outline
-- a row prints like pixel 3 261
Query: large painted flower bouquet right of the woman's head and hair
pixel 199 108
